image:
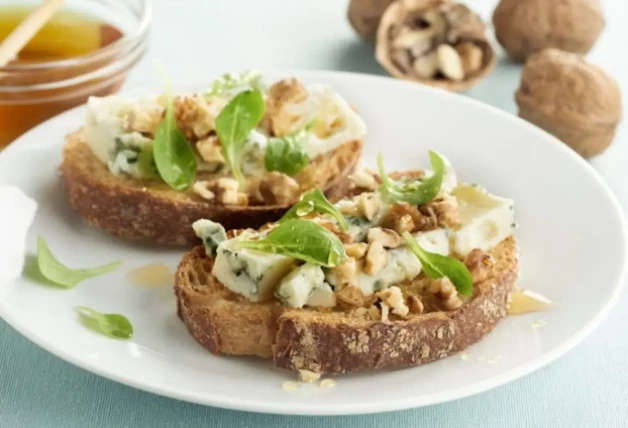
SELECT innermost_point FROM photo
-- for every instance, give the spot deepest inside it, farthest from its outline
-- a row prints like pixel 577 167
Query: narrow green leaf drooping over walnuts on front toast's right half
pixel 437 266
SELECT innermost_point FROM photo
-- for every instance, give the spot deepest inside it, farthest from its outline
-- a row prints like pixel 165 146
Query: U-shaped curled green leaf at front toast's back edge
pixel 417 192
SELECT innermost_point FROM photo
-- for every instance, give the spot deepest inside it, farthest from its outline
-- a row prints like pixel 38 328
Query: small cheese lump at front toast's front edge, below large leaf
pixel 305 285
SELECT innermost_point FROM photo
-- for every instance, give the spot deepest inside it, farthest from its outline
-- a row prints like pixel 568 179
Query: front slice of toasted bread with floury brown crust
pixel 336 341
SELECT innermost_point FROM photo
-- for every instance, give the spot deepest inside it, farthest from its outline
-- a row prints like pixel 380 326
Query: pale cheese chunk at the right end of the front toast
pixel 485 219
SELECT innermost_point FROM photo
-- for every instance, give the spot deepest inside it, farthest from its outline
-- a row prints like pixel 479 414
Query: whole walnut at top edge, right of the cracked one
pixel 523 27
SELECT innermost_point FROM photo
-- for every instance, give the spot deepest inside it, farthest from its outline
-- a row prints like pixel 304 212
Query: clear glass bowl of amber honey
pixel 86 49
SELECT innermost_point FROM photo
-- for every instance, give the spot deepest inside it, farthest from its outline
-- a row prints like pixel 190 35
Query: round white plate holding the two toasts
pixel 573 249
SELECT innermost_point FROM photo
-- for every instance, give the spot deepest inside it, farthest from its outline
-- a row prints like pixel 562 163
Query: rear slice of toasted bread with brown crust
pixel 149 210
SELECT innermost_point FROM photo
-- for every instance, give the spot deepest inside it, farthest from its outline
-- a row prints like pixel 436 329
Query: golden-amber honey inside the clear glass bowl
pixel 28 93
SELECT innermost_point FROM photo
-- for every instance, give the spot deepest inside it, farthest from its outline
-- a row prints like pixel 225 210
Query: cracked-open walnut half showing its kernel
pixel 436 42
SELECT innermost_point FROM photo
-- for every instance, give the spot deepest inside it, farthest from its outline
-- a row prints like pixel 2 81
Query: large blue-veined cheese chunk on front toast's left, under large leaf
pixel 253 274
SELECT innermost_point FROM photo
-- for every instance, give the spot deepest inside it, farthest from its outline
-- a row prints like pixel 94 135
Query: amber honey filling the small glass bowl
pixel 66 35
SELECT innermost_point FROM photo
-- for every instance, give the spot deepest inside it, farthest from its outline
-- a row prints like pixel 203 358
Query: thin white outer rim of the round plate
pixel 216 400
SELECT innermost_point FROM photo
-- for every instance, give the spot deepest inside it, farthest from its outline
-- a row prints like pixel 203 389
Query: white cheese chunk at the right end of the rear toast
pixel 336 122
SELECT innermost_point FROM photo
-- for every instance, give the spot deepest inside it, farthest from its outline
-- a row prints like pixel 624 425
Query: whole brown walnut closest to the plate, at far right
pixel 577 102
